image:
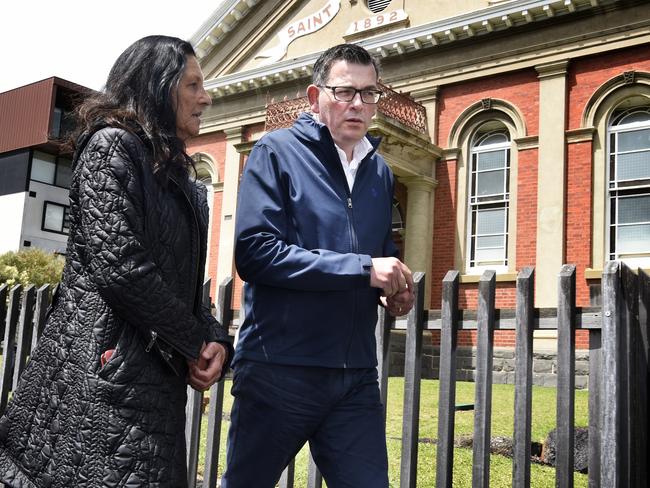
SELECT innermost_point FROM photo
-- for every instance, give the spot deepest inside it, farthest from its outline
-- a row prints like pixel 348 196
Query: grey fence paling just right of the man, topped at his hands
pixel 412 371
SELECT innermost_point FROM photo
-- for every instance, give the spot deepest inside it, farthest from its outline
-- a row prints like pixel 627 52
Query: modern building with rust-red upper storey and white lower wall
pixel 34 169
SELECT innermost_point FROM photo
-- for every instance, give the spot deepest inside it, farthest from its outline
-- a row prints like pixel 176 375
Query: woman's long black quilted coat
pixel 135 260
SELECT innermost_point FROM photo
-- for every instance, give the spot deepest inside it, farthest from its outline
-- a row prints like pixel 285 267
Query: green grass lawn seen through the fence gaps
pixel 502 425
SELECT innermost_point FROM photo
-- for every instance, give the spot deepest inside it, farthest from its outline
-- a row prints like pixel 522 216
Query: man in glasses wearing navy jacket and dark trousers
pixel 313 243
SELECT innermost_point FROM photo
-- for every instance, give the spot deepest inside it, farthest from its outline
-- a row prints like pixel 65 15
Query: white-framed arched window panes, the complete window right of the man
pixel 488 198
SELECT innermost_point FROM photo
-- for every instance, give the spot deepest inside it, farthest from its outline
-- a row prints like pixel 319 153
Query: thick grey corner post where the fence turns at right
pixel 613 458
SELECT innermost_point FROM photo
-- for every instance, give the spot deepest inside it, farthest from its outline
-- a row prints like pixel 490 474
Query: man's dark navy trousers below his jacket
pixel 279 408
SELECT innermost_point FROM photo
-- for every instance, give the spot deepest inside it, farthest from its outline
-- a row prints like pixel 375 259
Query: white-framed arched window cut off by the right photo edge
pixel 629 186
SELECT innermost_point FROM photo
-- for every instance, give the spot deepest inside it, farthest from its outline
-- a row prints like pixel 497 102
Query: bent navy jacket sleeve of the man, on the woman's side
pixel 262 253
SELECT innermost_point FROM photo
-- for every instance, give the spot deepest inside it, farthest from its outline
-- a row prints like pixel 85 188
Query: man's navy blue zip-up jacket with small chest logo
pixel 304 245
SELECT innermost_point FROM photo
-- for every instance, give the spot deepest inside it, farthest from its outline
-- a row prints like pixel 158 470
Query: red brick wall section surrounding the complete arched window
pixel 520 89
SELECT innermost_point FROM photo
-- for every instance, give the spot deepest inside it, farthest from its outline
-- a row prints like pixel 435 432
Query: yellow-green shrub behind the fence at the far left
pixel 33 266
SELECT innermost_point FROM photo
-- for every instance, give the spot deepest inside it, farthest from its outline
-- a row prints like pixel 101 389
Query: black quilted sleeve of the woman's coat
pixel 111 220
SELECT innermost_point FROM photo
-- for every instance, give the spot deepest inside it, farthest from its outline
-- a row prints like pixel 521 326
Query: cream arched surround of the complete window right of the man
pixel 460 140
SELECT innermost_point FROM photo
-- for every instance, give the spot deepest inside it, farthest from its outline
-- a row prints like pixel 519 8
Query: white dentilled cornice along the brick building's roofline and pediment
pixel 494 18
